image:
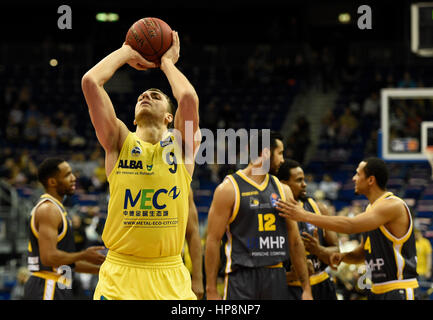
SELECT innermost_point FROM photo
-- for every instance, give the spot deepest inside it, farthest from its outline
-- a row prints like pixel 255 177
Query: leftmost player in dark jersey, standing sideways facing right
pixel 51 251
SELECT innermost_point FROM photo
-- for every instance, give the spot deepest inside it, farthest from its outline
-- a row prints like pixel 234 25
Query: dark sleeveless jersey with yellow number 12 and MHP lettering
pixel 256 234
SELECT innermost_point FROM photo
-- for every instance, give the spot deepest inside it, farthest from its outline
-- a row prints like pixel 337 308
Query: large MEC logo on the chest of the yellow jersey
pixel 150 198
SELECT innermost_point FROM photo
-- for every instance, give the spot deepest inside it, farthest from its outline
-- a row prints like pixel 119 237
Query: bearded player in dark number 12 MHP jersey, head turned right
pixel 258 239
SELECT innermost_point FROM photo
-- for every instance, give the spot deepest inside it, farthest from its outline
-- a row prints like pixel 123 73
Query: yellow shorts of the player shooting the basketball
pixel 123 277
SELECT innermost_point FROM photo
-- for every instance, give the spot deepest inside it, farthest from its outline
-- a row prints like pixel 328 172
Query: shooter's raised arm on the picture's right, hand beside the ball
pixel 184 93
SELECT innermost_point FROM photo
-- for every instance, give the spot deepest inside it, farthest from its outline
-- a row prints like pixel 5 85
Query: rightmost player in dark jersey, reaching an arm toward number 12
pixel 388 244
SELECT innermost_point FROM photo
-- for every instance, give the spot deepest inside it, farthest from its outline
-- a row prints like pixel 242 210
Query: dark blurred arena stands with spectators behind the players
pixel 288 67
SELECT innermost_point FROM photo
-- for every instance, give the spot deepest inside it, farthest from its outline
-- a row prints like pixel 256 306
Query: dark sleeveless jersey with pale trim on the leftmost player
pixel 65 238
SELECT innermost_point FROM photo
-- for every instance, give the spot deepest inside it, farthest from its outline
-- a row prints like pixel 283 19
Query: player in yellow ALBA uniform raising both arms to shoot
pixel 148 207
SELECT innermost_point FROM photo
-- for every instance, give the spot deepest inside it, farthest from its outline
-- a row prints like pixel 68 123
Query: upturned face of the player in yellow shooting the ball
pixel 151 104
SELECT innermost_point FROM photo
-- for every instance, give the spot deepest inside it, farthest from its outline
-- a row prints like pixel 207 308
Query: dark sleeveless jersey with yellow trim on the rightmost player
pixel 391 260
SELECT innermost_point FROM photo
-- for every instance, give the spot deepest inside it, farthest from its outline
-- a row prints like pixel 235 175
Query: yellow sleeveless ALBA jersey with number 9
pixel 148 206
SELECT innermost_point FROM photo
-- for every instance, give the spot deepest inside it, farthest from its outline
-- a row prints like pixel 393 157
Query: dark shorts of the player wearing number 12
pixel 261 283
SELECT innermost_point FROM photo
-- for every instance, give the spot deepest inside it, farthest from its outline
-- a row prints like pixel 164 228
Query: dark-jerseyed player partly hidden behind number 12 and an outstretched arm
pixel 319 244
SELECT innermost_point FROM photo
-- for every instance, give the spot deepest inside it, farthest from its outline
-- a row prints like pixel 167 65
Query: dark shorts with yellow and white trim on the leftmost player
pixel 47 286
